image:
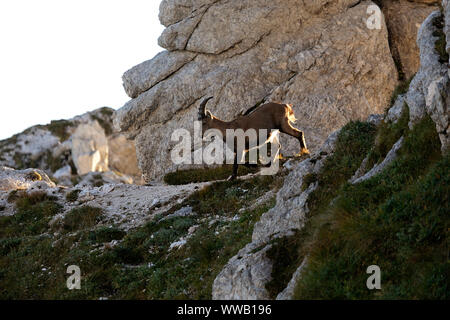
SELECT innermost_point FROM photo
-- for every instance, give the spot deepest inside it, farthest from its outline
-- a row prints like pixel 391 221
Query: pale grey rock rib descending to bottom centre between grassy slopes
pixel 245 275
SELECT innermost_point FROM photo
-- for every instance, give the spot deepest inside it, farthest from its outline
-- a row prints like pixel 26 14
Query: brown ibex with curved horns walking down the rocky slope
pixel 269 116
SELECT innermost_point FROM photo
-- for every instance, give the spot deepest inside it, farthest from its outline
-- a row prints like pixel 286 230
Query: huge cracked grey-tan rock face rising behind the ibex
pixel 319 56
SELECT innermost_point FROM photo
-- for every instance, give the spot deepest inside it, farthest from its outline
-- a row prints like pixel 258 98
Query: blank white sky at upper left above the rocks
pixel 60 58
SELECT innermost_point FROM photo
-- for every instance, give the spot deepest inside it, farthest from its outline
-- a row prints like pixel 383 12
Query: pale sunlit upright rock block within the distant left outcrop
pixel 90 148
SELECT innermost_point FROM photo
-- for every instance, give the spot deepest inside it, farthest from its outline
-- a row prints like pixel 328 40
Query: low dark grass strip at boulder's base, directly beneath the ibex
pixel 203 175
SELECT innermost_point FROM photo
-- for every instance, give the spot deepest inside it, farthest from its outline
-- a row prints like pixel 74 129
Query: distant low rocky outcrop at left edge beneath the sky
pixel 67 149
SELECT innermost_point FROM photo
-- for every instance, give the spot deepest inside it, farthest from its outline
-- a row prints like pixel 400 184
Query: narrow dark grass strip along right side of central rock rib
pixel 286 254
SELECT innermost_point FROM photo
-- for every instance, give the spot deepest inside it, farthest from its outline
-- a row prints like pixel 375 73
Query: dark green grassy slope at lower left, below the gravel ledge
pixel 33 259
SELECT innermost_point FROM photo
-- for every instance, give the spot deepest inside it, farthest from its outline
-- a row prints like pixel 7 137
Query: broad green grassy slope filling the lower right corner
pixel 397 220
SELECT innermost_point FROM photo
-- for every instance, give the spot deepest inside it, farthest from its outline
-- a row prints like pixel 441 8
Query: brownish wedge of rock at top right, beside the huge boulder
pixel 403 21
